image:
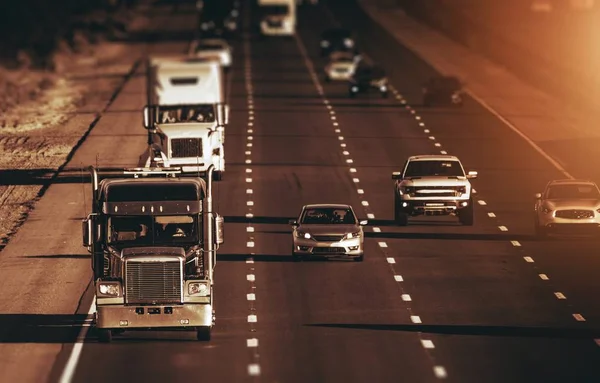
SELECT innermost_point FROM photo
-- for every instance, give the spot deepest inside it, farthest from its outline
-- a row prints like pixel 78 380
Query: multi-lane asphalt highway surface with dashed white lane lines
pixel 431 301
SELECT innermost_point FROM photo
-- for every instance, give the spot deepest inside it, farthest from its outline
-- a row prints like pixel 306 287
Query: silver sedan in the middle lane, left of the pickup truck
pixel 328 230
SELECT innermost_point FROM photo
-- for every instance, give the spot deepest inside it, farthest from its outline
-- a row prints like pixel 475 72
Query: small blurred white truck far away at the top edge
pixel 278 17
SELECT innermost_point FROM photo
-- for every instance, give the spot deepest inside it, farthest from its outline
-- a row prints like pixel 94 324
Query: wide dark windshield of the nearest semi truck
pixel 152 230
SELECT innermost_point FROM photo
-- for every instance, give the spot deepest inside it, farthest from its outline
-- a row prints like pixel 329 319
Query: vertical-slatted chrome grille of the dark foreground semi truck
pixel 153 282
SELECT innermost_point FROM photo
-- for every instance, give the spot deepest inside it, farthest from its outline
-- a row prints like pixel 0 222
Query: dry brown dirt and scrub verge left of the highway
pixel 45 114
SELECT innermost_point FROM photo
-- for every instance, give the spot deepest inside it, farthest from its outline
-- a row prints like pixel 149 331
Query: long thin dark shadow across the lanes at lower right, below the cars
pixel 473 330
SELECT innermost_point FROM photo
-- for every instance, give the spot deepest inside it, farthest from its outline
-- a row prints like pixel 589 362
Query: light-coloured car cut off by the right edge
pixel 568 207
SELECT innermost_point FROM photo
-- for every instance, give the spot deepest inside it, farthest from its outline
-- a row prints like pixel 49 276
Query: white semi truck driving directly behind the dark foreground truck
pixel 186 114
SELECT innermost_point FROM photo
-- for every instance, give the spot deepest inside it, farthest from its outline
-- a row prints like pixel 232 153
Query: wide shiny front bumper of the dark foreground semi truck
pixel 127 317
